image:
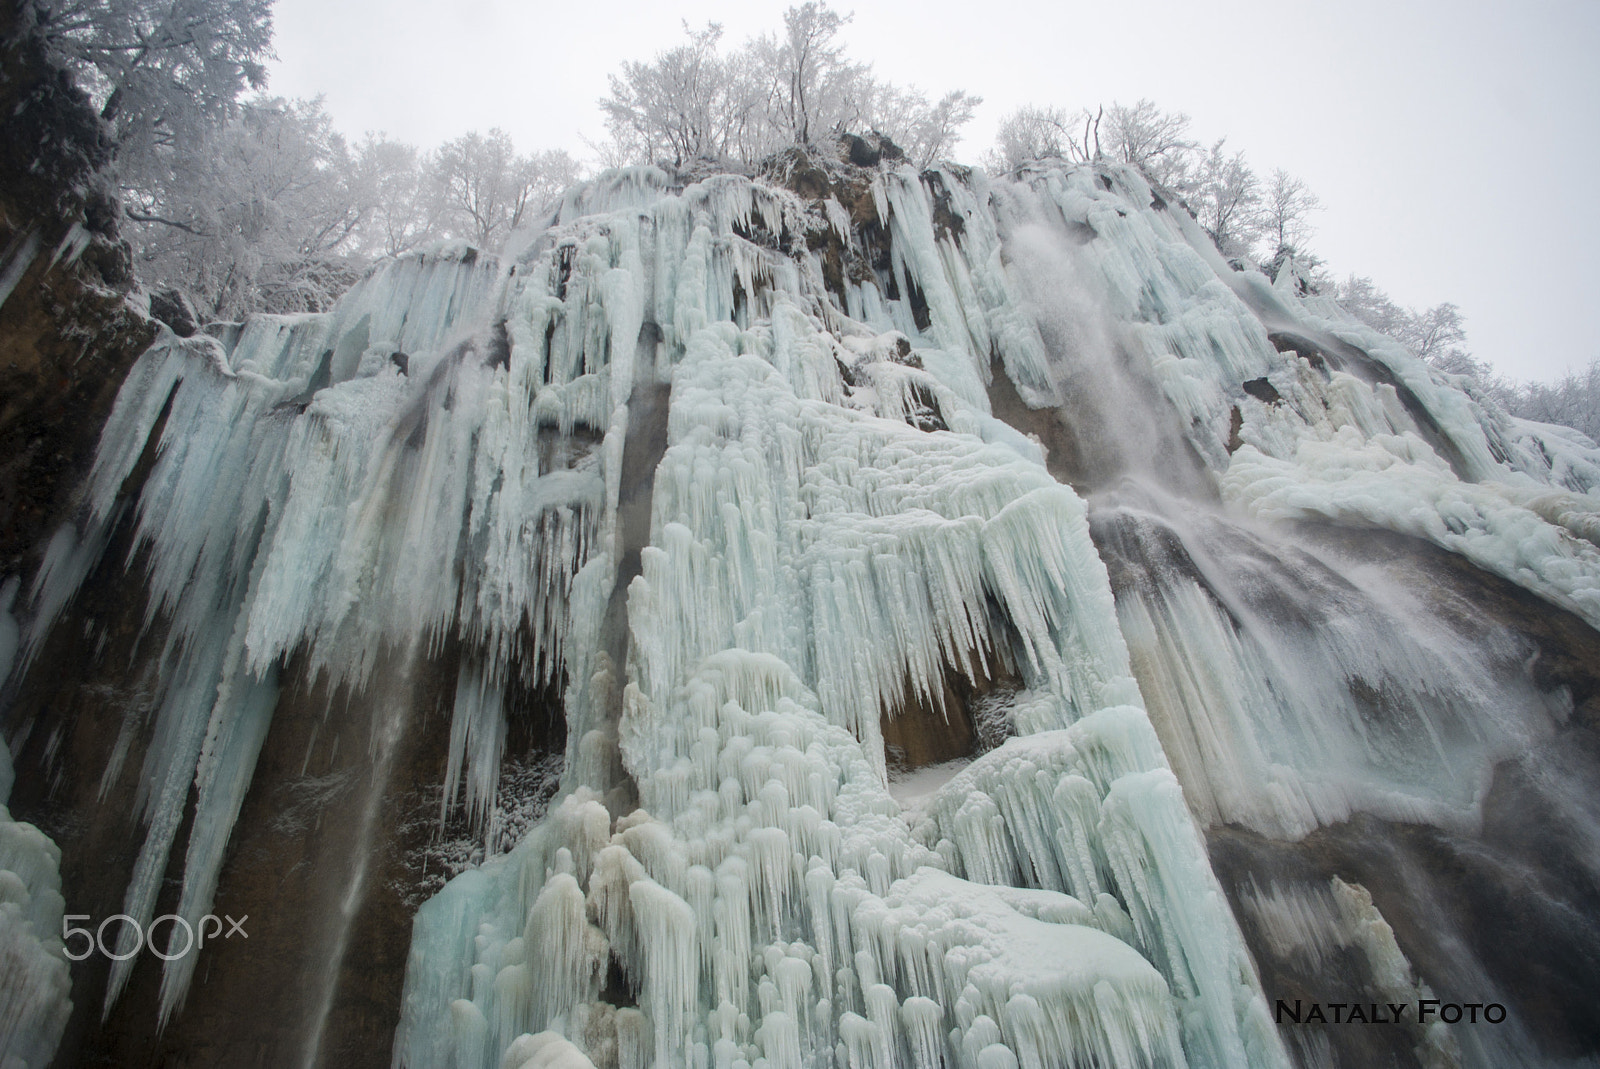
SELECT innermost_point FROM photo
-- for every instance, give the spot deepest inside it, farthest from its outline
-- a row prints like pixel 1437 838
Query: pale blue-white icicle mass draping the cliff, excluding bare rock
pixel 839 526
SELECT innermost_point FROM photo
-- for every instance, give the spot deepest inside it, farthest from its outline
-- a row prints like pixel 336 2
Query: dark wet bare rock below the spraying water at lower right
pixel 1508 915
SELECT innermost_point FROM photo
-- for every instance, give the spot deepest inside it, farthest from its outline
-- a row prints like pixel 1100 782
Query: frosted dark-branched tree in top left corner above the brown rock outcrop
pixel 164 73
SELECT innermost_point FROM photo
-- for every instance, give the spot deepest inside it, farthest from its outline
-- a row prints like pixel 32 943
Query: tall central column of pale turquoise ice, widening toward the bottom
pixel 814 556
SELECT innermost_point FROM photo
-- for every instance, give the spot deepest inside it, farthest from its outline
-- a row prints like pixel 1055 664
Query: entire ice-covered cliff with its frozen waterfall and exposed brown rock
pixel 970 625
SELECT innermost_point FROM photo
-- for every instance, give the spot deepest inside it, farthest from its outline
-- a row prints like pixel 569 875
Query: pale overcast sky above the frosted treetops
pixel 1455 145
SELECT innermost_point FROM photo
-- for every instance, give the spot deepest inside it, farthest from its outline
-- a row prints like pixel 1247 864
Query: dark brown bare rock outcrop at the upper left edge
pixel 68 337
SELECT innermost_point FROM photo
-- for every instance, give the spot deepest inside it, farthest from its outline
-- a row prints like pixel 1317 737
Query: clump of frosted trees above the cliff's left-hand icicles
pixel 274 212
